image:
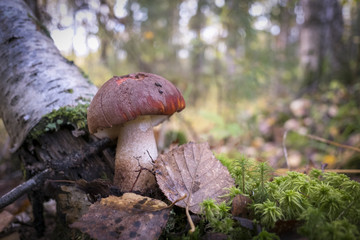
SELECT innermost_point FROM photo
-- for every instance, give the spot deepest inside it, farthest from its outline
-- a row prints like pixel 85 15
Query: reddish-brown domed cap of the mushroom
pixel 122 99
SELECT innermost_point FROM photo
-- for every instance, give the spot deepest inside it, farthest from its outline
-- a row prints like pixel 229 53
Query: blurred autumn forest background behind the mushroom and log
pixel 260 78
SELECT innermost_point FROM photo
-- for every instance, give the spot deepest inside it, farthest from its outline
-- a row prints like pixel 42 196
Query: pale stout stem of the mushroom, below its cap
pixel 136 148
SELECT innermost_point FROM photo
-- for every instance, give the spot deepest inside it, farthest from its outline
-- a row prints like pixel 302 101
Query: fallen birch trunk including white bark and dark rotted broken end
pixel 35 80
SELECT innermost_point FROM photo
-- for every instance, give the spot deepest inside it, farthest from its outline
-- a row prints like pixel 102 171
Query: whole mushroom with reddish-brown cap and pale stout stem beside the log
pixel 127 108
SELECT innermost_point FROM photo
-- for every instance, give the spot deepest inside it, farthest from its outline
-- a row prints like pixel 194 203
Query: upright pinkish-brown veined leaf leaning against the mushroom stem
pixel 192 170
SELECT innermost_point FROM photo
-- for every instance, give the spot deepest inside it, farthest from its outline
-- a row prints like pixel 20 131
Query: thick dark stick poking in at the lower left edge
pixel 23 188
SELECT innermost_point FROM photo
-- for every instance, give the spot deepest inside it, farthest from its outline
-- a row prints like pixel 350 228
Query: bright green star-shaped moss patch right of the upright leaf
pixel 326 204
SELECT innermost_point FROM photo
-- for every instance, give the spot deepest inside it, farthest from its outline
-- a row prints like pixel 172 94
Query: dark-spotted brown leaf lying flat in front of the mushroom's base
pixel 130 216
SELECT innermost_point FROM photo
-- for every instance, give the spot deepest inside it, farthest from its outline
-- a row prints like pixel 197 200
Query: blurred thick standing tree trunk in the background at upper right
pixel 321 43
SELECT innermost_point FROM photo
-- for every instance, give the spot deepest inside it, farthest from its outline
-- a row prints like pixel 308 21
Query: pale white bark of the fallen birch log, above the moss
pixel 34 78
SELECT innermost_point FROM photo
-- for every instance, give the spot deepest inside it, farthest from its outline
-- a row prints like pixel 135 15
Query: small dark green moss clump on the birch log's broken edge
pixel 68 115
